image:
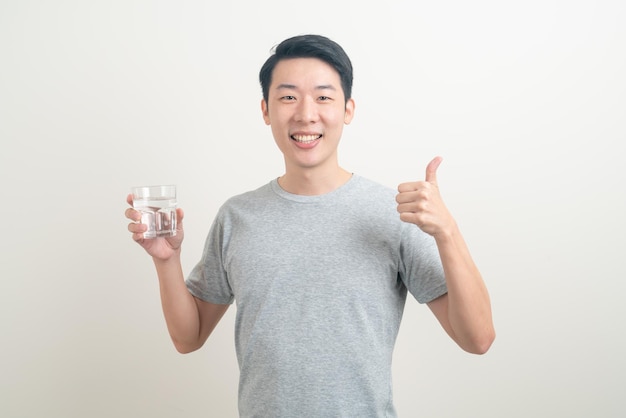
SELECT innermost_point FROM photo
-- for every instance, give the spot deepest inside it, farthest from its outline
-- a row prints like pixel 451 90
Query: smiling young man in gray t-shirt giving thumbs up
pixel 319 261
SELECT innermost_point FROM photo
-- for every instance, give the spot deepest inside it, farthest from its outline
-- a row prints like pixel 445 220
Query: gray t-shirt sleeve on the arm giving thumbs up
pixel 420 265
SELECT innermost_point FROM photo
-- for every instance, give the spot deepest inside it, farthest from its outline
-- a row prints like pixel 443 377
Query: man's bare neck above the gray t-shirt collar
pixel 311 183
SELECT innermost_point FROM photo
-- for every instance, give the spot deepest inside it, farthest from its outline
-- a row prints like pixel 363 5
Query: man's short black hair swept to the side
pixel 309 46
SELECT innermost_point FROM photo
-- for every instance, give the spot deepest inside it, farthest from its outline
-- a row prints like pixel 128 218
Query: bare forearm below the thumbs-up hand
pixel 469 306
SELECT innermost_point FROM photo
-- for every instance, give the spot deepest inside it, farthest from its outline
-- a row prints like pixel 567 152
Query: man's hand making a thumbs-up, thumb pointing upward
pixel 420 203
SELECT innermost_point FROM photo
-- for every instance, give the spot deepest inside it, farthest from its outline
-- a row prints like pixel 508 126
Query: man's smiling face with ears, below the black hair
pixel 306 109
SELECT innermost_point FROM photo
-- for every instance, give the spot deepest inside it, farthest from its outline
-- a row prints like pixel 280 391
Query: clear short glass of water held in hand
pixel 157 205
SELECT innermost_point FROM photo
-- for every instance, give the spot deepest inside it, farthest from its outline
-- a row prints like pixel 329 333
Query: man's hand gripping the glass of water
pixel 159 248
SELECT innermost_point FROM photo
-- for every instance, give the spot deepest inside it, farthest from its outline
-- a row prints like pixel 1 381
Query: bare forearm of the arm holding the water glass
pixel 179 306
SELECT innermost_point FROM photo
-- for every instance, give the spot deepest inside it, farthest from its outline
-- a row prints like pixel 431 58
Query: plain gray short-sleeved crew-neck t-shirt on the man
pixel 320 284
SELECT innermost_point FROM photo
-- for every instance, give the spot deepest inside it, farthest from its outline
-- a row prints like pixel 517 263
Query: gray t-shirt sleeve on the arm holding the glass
pixel 209 280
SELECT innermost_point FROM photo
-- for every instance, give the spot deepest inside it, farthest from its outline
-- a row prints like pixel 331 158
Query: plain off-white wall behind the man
pixel 524 100
